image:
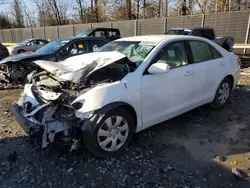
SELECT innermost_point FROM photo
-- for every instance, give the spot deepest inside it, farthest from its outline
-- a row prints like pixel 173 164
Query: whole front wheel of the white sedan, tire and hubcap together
pixel 112 134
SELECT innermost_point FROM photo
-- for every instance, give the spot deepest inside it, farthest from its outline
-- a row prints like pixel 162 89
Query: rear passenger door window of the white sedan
pixel 201 51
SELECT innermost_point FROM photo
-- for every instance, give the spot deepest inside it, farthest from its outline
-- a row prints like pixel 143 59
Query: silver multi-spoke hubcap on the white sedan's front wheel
pixel 113 133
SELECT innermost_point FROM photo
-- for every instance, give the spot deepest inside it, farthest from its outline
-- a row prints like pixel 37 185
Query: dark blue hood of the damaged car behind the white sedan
pixel 21 57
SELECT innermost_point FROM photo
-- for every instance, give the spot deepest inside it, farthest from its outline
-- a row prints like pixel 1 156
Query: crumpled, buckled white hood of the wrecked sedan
pixel 72 68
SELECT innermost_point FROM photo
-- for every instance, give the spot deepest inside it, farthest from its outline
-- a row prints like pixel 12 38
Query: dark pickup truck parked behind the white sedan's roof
pixel 206 32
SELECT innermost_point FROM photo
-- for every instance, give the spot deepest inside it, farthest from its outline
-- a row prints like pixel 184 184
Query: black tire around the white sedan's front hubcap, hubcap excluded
pixel 91 139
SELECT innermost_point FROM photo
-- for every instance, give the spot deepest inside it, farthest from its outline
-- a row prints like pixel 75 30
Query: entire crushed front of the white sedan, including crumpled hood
pixel 51 107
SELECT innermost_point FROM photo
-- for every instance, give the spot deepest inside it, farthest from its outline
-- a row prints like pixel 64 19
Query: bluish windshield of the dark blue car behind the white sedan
pixel 52 47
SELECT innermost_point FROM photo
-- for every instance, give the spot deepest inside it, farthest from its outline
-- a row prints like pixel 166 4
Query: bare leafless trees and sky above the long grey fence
pixel 40 13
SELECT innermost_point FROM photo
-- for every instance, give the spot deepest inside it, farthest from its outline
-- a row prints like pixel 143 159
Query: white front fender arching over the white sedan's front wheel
pixel 117 92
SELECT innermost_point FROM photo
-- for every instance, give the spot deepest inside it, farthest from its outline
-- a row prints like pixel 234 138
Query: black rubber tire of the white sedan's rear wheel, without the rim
pixel 218 103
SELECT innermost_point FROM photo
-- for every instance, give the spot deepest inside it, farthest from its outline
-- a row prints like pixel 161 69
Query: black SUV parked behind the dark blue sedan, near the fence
pixel 109 33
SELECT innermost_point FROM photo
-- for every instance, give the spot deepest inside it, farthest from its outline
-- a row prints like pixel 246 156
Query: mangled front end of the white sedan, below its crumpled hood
pixel 44 112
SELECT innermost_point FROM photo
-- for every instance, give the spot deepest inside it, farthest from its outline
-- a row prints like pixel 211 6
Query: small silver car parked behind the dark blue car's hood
pixel 27 45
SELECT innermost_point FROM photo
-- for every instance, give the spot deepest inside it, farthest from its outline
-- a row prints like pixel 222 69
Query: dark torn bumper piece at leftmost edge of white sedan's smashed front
pixel 28 126
